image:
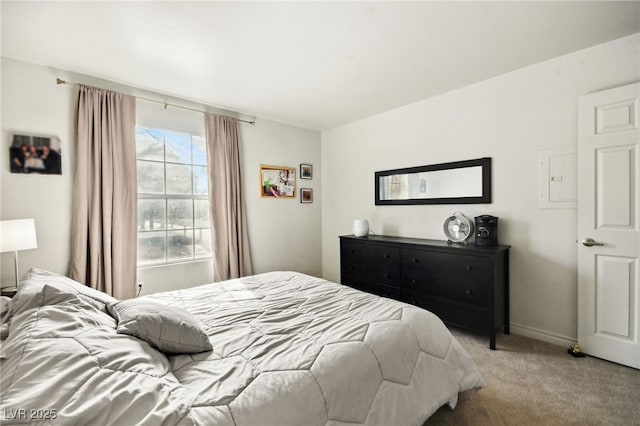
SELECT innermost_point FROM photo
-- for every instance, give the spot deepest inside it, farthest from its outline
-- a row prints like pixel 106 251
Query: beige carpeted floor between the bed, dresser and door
pixel 529 382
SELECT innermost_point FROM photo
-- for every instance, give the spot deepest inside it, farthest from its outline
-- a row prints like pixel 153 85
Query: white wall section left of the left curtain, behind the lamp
pixel 33 104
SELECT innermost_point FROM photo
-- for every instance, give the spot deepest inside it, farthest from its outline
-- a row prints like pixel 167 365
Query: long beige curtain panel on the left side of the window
pixel 103 246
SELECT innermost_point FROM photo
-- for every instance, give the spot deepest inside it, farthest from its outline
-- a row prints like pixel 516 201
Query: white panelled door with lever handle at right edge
pixel 609 225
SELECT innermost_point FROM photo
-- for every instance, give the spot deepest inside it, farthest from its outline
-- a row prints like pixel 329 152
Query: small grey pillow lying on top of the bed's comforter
pixel 170 329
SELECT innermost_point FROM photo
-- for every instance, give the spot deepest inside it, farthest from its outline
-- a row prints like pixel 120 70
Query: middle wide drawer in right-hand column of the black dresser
pixel 467 290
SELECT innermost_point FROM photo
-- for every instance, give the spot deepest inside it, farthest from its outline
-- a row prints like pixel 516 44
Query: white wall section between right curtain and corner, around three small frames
pixel 285 234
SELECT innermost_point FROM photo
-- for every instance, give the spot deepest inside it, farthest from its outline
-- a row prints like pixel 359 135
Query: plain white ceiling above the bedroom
pixel 315 65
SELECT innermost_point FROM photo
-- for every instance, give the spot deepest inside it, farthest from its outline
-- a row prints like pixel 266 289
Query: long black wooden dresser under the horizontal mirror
pixel 465 285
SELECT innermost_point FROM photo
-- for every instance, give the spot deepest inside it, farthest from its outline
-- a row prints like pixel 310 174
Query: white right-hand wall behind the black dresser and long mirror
pixel 508 118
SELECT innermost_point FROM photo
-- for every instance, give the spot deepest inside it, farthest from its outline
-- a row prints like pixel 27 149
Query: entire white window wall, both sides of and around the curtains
pixel 282 232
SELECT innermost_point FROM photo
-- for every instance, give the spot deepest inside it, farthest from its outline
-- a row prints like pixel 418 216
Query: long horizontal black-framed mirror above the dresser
pixel 459 182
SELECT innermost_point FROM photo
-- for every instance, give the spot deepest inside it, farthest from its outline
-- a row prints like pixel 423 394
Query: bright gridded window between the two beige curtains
pixel 173 199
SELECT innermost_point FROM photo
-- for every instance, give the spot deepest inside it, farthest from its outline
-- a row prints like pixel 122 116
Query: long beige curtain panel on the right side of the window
pixel 230 240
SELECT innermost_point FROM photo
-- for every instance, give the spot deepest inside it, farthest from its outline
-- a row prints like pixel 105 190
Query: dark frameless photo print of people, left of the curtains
pixel 35 154
